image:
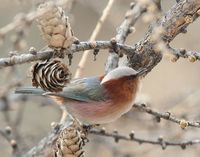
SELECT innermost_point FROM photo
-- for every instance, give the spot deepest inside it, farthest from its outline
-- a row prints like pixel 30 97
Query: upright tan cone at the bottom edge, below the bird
pixel 69 143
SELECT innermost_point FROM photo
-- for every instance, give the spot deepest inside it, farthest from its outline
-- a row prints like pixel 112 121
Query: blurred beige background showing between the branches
pixel 173 87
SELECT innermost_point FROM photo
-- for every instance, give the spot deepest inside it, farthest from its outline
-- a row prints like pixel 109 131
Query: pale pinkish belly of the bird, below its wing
pixel 97 112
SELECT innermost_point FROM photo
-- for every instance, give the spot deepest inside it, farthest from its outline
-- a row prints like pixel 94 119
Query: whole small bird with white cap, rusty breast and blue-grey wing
pixel 97 100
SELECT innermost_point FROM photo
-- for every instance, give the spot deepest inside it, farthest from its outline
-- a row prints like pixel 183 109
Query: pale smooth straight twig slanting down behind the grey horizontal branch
pixel 95 33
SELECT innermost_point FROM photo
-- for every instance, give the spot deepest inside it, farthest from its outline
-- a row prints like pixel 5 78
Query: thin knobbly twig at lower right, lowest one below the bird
pixel 160 141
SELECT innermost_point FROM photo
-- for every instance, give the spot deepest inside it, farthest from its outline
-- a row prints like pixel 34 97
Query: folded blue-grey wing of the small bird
pixel 85 89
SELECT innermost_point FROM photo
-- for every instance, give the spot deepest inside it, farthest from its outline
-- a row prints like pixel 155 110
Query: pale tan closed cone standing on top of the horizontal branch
pixel 55 27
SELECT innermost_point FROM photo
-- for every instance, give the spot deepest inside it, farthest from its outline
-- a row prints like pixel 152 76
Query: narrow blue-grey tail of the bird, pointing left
pixel 29 90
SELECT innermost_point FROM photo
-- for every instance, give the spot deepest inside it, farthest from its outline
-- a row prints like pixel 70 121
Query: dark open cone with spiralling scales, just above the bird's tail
pixel 50 75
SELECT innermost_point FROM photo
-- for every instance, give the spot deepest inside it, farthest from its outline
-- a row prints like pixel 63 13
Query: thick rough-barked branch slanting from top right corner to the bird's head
pixel 172 23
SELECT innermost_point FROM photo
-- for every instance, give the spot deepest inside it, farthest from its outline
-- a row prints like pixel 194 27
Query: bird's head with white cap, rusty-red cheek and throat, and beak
pixel 122 84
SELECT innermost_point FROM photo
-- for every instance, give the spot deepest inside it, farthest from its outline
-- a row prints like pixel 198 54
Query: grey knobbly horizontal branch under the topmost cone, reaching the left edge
pixel 47 54
